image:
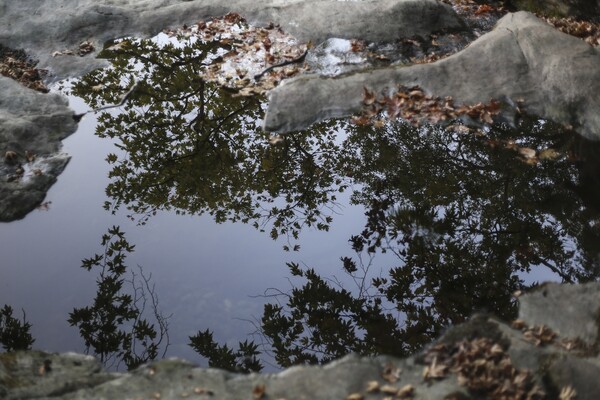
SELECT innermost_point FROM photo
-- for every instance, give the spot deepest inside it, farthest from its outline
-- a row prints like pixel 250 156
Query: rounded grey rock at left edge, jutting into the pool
pixel 32 124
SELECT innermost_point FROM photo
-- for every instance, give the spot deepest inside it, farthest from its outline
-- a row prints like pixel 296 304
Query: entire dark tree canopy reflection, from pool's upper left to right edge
pixel 463 215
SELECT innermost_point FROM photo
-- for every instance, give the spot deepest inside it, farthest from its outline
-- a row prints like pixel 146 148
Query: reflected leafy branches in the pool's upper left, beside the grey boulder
pixel 193 147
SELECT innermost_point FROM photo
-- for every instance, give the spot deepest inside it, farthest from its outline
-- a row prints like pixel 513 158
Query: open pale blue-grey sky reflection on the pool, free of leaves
pixel 206 274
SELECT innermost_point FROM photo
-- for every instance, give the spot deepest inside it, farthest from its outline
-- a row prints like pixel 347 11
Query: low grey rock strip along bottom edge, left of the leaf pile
pixel 177 379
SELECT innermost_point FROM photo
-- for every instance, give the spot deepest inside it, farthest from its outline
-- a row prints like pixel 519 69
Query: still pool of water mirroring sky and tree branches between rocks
pixel 447 222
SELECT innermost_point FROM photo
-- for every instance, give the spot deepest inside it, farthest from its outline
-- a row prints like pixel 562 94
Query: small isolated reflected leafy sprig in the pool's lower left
pixel 115 327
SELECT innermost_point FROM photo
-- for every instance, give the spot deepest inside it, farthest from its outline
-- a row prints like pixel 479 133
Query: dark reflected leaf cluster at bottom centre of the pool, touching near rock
pixel 321 321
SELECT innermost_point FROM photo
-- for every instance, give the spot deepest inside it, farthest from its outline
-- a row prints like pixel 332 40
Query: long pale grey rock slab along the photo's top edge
pixel 43 27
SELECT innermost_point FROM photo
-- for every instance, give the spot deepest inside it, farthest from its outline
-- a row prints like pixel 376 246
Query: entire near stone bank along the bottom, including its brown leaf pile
pixel 483 358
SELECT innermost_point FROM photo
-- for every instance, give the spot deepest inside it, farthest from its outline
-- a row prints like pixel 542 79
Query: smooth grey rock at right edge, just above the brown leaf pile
pixel 572 311
